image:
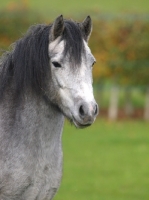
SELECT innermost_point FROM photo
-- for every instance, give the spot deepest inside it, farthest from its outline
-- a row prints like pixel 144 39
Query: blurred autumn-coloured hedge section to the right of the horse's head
pixel 121 46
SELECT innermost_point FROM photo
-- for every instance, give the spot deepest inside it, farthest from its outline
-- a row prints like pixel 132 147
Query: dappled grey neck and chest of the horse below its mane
pixel 30 135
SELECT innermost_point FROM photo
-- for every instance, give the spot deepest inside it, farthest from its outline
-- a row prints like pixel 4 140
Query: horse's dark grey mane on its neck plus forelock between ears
pixel 27 65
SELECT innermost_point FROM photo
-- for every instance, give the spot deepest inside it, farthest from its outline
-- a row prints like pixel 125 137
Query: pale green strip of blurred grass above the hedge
pixel 77 8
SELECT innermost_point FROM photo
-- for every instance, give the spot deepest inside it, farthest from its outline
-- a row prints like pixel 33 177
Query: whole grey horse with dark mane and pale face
pixel 45 78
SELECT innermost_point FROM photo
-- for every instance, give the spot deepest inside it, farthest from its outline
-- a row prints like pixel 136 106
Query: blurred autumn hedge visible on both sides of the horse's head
pixel 120 44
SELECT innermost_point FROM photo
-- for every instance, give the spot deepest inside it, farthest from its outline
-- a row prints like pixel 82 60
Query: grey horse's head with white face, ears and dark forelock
pixel 71 63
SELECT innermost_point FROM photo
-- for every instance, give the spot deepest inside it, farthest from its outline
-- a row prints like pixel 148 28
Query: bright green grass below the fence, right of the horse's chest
pixel 108 161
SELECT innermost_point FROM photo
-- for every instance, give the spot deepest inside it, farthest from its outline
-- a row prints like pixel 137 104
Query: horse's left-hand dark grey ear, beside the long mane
pixel 57 27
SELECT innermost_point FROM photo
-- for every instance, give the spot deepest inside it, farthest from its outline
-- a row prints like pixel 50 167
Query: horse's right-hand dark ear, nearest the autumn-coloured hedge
pixel 86 27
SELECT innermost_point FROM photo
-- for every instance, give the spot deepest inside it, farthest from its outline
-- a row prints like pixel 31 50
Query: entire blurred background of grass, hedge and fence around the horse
pixel 108 161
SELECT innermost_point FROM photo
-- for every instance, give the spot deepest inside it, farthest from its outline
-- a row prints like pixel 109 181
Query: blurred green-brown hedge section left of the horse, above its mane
pixel 14 23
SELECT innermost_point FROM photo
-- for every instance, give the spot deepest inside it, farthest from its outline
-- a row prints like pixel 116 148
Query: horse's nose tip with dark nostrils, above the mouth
pixel 88 111
